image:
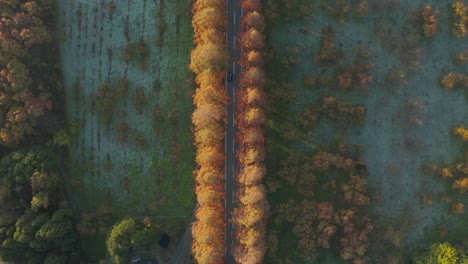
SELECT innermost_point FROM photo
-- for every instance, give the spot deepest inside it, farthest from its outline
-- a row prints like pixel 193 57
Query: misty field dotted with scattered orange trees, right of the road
pixel 323 67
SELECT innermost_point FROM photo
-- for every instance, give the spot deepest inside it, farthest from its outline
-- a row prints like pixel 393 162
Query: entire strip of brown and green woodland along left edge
pixel 35 220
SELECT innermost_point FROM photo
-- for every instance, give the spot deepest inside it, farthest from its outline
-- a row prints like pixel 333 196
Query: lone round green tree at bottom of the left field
pixel 126 237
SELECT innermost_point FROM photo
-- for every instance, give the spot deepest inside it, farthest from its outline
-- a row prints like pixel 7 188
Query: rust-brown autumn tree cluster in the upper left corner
pixel 26 76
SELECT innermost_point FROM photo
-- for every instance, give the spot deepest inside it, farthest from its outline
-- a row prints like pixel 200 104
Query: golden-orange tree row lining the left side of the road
pixel 208 60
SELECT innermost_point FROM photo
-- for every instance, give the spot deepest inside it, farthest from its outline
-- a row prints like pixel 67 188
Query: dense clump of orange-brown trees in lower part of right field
pixel 332 214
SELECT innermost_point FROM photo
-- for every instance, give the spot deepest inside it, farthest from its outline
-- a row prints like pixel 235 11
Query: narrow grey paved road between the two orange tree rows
pixel 234 14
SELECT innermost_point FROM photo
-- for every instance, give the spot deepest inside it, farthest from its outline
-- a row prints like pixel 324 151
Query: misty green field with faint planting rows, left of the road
pixel 136 158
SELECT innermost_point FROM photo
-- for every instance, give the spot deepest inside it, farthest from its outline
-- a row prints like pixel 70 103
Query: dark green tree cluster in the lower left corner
pixel 35 221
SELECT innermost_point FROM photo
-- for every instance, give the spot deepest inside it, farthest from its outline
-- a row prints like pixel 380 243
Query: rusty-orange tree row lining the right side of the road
pixel 249 217
